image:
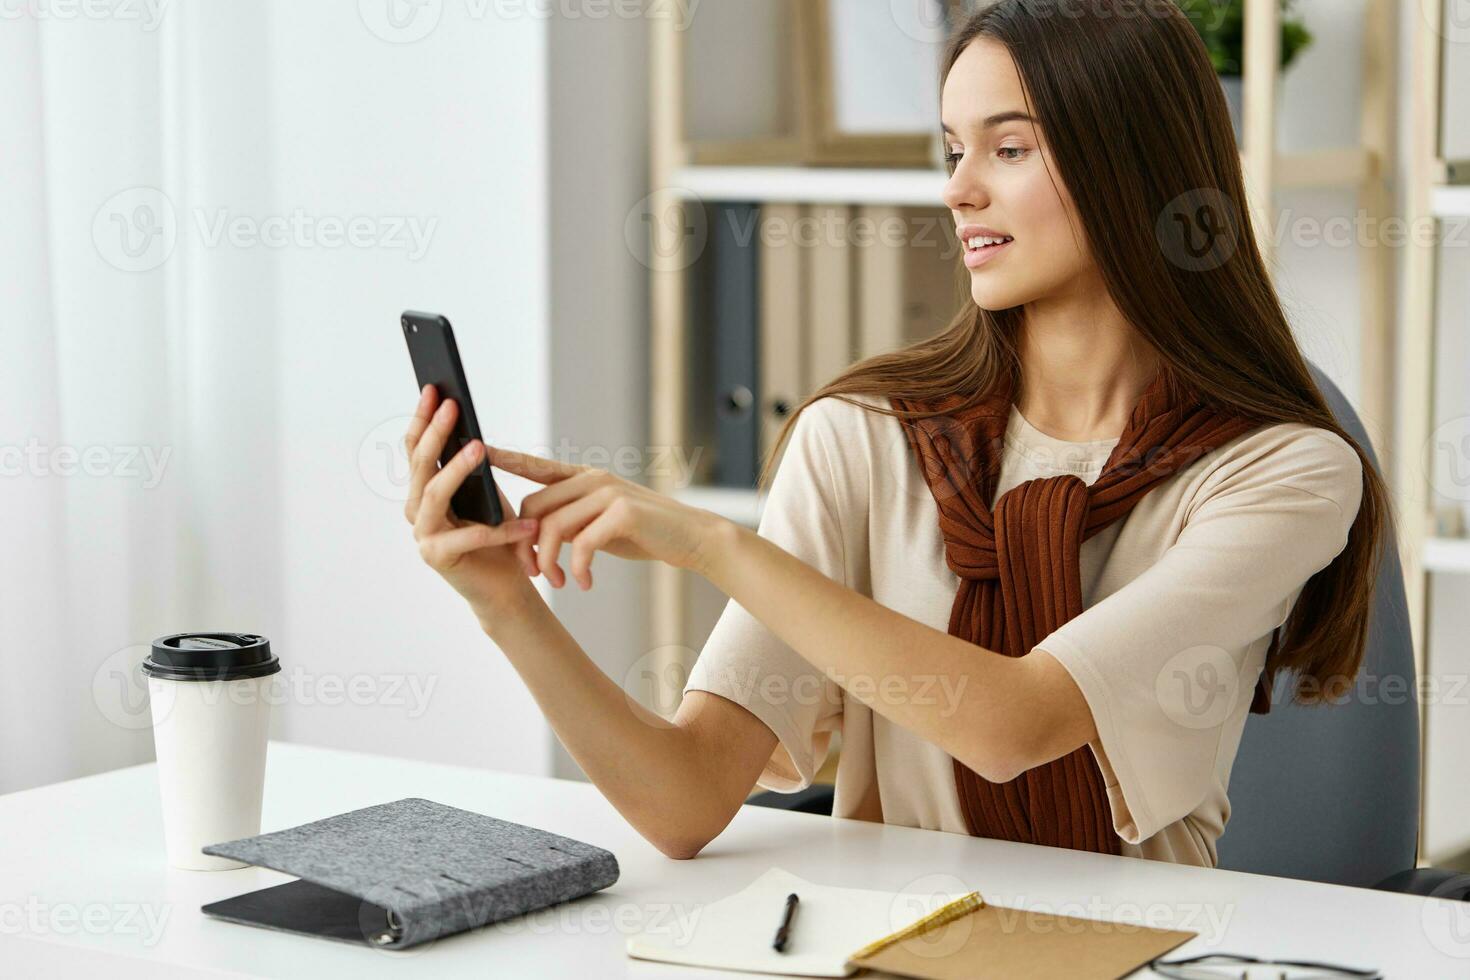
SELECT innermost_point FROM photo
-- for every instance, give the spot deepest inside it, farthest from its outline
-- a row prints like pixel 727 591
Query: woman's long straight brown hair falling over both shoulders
pixel 1137 121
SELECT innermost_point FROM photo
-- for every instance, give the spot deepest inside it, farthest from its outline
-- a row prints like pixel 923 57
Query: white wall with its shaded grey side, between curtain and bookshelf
pixel 526 142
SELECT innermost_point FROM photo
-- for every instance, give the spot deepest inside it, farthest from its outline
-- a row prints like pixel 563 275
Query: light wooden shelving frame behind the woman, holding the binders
pixel 680 179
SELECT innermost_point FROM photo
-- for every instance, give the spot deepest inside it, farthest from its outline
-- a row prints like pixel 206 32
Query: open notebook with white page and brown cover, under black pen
pixel 840 931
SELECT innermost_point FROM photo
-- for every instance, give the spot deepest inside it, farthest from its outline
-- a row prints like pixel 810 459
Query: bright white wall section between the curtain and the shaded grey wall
pixel 449 130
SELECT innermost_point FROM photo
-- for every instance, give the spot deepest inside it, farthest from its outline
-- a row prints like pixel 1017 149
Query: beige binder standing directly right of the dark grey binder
pixel 783 278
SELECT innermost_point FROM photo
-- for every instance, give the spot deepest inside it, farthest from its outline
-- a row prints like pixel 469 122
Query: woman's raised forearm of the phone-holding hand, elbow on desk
pixel 656 774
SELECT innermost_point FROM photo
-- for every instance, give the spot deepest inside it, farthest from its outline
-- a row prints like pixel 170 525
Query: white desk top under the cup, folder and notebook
pixel 83 869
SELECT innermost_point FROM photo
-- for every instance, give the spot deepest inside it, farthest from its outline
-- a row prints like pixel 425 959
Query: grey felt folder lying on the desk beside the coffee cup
pixel 404 873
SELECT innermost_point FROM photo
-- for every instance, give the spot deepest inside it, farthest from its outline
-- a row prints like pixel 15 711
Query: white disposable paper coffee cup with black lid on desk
pixel 211 719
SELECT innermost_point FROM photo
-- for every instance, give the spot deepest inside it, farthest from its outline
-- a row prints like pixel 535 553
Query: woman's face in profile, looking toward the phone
pixel 1003 184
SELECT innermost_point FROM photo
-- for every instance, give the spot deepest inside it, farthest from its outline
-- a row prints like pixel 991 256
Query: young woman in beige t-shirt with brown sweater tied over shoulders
pixel 1031 569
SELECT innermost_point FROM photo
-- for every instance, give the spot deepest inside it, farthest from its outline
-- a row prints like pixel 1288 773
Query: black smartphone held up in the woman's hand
pixel 436 362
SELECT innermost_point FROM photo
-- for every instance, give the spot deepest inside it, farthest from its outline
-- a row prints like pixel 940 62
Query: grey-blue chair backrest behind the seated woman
pixel 1331 793
